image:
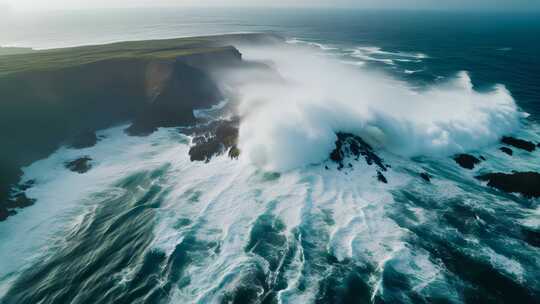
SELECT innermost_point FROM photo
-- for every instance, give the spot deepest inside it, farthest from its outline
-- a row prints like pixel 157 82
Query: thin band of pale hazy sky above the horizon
pixel 411 4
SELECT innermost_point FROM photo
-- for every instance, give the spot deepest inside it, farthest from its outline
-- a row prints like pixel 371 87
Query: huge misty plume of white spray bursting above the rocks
pixel 292 124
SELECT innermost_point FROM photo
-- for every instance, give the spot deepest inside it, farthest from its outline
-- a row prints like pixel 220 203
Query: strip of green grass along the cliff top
pixel 14 62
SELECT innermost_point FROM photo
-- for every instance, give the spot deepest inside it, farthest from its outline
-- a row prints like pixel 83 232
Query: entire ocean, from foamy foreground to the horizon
pixel 283 224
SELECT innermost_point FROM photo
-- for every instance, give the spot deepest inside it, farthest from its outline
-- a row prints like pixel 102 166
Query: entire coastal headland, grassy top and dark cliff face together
pixel 51 97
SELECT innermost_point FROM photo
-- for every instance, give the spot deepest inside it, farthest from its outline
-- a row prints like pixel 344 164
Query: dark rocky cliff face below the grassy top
pixel 41 109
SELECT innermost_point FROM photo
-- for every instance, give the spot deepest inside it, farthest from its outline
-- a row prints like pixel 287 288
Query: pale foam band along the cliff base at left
pixel 64 197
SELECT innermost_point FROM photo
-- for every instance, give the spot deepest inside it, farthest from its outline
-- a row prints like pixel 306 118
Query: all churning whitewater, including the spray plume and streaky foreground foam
pixel 282 224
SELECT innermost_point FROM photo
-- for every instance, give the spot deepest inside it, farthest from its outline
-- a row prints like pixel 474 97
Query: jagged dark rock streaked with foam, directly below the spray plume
pixel 349 145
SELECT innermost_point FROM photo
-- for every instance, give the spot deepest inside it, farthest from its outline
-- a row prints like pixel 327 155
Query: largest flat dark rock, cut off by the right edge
pixel 526 183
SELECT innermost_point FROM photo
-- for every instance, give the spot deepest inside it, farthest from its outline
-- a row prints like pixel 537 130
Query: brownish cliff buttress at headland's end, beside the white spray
pixel 175 88
